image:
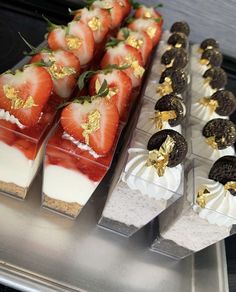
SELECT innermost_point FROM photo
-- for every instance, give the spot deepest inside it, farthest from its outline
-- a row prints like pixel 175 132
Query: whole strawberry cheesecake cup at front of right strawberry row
pixel 79 153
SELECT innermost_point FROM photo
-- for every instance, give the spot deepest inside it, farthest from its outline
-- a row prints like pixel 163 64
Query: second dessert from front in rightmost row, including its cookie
pixel 213 140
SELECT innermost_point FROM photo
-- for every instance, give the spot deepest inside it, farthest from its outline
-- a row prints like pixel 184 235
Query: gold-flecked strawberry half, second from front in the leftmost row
pixel 64 70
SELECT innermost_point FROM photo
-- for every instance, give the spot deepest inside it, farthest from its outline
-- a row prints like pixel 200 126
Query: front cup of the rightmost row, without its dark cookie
pixel 203 216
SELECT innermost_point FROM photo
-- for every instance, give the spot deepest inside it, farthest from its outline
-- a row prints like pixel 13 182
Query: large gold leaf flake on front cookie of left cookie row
pixel 160 158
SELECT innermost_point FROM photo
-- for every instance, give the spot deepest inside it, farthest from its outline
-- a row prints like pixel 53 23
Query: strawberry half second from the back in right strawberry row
pixel 150 26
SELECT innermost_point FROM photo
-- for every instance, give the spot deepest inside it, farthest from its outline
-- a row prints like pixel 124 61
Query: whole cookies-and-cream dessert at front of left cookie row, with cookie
pixel 149 180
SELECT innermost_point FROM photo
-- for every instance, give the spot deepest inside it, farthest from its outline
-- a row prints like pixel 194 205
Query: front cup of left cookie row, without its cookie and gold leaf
pixel 137 194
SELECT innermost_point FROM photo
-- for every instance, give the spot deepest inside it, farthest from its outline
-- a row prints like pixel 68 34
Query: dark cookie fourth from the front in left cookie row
pixel 176 58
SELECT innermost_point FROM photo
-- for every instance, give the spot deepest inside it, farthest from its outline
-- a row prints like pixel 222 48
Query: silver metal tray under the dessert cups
pixel 42 251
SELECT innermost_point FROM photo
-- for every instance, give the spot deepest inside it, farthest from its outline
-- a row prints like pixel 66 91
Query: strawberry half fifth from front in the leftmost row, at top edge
pixel 113 7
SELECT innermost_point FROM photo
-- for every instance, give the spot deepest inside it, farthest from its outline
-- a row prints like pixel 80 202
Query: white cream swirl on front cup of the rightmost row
pixel 221 207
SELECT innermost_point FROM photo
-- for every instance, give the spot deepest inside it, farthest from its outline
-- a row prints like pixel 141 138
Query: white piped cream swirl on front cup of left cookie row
pixel 145 179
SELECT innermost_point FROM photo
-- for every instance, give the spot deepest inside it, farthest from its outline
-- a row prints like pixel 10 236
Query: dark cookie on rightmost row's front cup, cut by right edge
pixel 224 170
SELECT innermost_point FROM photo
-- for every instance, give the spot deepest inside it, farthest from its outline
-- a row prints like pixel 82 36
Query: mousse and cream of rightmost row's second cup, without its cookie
pixel 201 149
